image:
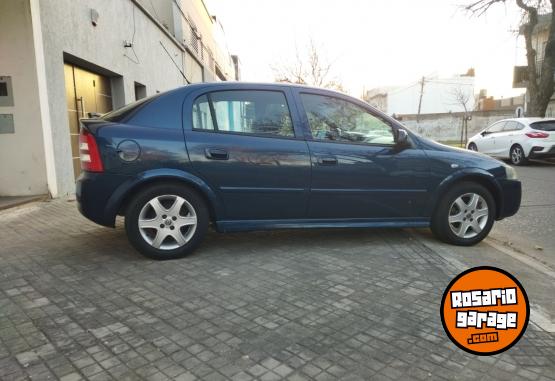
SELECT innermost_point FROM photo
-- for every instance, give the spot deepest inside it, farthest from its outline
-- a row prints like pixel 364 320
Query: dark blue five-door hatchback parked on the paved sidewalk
pixel 242 156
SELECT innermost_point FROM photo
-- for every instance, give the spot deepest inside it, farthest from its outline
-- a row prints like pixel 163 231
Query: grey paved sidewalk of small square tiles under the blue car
pixel 77 302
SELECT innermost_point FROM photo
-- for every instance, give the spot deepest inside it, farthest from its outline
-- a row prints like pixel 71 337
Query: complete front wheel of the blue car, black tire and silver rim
pixel 450 210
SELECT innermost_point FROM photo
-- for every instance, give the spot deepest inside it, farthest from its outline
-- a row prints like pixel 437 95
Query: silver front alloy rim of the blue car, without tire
pixel 468 215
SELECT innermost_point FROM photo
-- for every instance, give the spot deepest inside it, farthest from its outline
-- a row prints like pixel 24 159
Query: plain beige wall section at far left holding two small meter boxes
pixel 22 167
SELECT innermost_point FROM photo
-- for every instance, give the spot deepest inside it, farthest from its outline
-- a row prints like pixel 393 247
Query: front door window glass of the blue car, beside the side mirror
pixel 338 120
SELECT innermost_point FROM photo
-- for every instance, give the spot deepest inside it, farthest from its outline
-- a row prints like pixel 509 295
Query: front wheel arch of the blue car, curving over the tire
pixel 476 175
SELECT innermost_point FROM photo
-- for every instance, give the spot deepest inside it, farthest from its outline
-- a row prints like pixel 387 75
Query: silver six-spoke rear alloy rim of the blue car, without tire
pixel 167 222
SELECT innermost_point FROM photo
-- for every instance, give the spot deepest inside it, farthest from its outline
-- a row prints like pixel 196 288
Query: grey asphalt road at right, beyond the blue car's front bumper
pixel 532 229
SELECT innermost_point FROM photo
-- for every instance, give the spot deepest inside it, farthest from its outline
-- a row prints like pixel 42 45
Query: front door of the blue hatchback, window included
pixel 357 169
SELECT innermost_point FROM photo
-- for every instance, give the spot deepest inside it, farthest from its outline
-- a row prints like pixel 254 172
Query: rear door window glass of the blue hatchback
pixel 243 111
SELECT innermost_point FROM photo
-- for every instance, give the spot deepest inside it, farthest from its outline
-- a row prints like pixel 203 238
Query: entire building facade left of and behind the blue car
pixel 61 60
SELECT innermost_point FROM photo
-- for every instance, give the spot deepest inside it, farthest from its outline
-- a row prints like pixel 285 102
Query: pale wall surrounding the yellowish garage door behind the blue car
pixel 66 28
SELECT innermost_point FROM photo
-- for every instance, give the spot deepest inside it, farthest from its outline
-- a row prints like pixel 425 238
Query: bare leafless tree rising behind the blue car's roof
pixel 312 69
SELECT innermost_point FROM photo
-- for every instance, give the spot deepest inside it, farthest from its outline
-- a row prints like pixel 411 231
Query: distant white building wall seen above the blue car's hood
pixel 438 97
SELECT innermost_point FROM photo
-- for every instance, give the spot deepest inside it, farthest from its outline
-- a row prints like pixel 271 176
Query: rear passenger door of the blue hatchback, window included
pixel 245 145
